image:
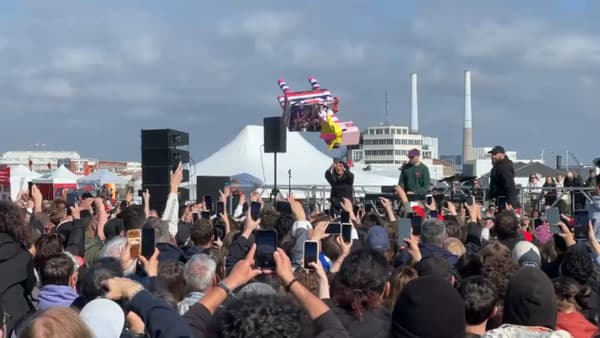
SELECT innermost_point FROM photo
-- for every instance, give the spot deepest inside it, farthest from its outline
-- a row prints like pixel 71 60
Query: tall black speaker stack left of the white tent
pixel 161 153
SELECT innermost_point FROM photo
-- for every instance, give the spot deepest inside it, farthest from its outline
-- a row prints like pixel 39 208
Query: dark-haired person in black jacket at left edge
pixel 17 278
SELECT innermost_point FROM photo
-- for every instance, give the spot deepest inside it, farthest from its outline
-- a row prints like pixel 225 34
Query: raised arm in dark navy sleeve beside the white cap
pixel 159 318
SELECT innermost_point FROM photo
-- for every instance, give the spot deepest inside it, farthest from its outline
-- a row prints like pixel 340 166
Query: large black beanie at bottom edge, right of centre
pixel 429 307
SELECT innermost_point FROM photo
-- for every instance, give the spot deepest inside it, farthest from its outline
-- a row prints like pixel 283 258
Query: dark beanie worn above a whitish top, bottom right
pixel 530 299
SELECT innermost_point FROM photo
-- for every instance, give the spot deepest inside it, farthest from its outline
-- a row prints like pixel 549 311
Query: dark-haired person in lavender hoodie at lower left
pixel 58 280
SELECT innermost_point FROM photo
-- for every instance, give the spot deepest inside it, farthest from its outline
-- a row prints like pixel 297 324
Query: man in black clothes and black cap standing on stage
pixel 502 177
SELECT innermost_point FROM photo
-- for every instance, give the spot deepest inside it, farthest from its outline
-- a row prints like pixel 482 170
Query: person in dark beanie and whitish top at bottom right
pixel 530 307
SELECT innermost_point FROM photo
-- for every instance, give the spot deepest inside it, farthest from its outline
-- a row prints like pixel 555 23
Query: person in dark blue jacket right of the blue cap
pixel 433 235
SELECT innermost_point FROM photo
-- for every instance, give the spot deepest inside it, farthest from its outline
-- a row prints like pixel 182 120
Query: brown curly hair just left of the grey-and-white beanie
pixel 497 265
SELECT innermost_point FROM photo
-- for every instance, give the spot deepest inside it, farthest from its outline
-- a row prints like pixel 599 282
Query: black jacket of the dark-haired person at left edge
pixel 16 279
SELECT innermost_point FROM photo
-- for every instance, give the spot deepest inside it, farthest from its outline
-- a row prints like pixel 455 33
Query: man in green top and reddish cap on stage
pixel 415 178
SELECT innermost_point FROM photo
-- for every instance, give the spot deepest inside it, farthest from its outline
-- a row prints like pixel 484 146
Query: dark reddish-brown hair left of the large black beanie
pixel 361 280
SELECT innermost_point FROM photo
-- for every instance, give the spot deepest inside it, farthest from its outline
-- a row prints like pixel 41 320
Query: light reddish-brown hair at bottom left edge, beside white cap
pixel 58 322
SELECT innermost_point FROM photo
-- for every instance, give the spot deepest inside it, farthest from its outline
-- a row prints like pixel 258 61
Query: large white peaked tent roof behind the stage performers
pixel 245 154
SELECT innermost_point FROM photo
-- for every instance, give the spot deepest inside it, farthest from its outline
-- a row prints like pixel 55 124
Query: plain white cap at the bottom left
pixel 104 317
